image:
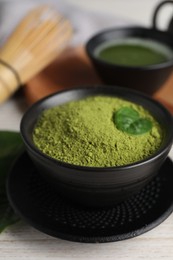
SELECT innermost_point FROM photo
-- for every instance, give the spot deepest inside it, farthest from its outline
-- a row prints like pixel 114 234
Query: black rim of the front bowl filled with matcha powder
pixel 30 145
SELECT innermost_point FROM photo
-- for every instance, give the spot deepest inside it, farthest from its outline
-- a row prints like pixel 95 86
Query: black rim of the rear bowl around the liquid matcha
pixel 90 50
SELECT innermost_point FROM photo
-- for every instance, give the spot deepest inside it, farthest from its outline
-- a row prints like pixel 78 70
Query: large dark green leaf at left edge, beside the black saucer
pixel 10 146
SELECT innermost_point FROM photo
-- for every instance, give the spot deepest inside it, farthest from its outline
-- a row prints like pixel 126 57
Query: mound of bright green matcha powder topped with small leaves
pixel 99 131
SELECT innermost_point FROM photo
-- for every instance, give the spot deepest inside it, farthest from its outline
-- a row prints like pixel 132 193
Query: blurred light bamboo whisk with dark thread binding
pixel 35 42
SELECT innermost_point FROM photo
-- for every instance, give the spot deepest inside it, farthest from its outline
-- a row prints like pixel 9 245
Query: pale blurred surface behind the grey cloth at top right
pixel 138 11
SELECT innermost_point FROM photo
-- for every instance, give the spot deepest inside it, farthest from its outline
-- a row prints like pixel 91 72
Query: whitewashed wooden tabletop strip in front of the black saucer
pixel 25 243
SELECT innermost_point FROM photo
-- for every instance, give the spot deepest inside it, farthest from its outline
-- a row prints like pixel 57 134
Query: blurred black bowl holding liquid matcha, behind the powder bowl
pixel 147 79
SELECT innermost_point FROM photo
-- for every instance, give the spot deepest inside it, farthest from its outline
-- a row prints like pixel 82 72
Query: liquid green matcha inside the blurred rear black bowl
pixel 134 52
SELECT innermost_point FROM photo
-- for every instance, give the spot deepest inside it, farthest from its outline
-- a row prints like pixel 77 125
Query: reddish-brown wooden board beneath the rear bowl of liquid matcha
pixel 73 69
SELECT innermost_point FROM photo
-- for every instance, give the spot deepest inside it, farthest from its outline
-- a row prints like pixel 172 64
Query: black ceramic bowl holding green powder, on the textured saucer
pixel 97 186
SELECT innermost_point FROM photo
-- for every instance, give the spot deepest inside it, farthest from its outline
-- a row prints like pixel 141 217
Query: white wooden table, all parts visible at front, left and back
pixel 23 242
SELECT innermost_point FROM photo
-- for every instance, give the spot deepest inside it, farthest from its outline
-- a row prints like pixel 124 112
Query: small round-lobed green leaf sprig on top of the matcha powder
pixel 128 120
